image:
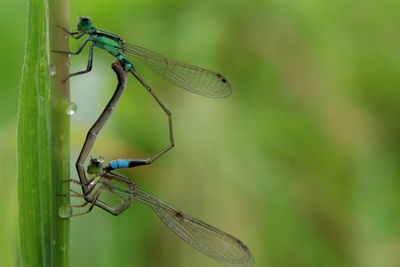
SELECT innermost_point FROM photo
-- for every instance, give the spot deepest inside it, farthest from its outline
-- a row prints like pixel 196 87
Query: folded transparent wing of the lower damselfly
pixel 206 238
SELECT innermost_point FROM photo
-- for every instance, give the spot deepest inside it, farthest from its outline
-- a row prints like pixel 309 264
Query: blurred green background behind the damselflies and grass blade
pixel 301 162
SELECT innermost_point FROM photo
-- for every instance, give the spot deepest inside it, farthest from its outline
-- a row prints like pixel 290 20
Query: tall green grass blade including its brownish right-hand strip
pixel 43 138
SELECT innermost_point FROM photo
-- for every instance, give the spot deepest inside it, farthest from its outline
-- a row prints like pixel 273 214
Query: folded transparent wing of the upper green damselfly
pixel 194 79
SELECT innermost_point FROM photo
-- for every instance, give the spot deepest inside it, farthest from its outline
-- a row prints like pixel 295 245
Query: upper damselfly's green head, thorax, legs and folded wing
pixel 186 76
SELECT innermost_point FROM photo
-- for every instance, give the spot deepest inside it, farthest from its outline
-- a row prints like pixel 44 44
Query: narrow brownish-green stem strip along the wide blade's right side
pixel 60 100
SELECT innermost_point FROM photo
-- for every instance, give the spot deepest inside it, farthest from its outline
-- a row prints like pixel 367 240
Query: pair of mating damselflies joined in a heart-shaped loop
pixel 207 239
